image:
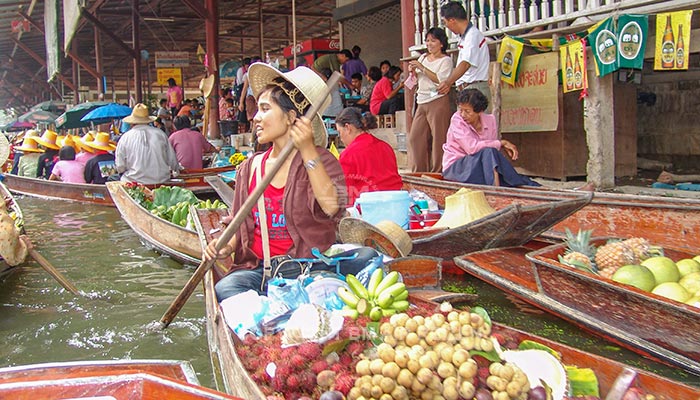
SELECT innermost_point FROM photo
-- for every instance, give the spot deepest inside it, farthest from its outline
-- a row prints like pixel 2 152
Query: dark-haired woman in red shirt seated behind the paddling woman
pixel 369 164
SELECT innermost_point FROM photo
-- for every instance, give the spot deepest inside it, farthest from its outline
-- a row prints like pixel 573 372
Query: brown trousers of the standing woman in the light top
pixel 428 134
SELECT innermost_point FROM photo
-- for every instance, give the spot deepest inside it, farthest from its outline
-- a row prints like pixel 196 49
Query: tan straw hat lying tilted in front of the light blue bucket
pixel 386 237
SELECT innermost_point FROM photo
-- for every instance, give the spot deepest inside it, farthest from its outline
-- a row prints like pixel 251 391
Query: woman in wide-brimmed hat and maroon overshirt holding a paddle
pixel 304 201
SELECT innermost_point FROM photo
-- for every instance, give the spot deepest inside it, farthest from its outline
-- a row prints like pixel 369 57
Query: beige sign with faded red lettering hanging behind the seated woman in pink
pixel 537 79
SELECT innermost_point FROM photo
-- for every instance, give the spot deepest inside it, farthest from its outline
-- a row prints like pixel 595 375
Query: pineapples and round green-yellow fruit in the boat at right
pixel 638 263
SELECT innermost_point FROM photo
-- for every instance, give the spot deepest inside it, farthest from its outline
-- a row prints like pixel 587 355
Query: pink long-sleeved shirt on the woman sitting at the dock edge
pixel 463 140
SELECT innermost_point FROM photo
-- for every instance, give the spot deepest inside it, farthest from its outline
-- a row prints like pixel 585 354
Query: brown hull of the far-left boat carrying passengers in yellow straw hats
pixel 81 192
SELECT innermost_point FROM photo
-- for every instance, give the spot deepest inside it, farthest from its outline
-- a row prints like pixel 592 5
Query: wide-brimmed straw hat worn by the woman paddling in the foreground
pixel 307 81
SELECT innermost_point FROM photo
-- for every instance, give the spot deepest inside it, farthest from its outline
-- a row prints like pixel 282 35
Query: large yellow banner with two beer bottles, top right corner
pixel 672 40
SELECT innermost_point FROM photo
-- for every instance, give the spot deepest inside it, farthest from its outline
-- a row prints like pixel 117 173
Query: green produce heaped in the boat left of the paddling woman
pixel 171 203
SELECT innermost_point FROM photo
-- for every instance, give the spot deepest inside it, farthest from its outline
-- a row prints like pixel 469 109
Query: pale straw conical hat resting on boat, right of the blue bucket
pixel 464 207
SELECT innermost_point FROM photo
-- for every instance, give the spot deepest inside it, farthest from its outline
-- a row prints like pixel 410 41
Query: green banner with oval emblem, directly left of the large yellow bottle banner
pixel 632 39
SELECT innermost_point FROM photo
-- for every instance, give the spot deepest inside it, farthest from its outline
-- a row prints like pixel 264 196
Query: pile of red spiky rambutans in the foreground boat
pixel 298 366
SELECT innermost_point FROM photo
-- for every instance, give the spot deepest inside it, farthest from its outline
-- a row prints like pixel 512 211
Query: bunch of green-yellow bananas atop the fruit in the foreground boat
pixel 384 296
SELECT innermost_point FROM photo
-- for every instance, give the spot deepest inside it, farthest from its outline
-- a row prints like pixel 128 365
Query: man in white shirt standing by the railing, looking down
pixel 472 69
